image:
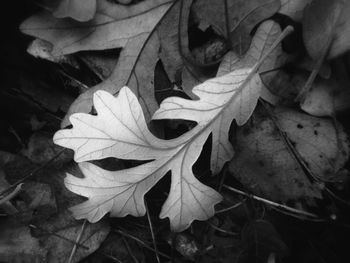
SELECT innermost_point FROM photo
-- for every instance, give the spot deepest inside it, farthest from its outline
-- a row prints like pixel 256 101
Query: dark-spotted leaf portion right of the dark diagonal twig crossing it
pixel 324 149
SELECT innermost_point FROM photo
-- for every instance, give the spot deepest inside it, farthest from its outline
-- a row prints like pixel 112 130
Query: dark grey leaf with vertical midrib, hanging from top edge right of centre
pixel 243 16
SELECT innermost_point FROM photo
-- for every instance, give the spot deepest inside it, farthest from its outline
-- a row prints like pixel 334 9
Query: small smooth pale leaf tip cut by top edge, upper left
pixel 81 10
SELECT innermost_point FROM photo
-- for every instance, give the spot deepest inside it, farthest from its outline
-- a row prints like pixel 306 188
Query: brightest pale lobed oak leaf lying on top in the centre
pixel 119 130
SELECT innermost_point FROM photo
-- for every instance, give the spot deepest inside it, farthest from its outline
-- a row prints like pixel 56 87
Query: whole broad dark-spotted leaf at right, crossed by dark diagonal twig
pixel 265 164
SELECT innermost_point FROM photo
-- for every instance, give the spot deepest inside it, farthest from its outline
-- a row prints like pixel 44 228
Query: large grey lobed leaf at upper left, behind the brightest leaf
pixel 114 26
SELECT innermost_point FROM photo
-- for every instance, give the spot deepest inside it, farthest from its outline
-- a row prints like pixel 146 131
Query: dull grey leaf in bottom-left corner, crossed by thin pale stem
pixel 17 244
